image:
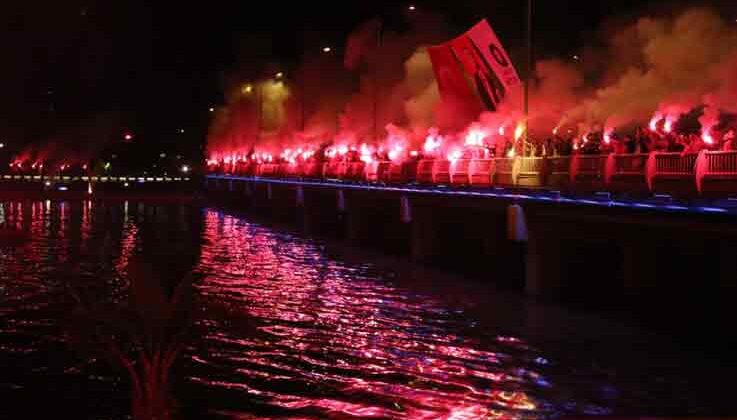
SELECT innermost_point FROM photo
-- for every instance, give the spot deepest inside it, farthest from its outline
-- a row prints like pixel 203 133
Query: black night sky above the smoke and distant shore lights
pixel 158 66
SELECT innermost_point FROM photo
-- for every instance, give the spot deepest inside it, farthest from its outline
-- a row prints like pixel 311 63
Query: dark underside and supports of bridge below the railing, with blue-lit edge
pixel 549 243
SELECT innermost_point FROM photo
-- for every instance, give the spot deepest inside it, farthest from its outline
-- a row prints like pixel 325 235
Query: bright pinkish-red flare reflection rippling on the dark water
pixel 332 339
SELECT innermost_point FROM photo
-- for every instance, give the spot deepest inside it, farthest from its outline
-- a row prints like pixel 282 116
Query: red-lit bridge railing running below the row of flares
pixel 717 170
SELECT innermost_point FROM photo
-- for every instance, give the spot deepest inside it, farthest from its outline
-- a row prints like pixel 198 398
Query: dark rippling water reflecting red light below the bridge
pixel 286 329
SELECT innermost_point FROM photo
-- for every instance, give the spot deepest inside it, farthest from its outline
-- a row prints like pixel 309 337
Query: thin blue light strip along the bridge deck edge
pixel 535 196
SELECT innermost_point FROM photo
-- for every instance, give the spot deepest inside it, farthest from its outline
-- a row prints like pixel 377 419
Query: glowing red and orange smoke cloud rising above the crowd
pixel 662 66
